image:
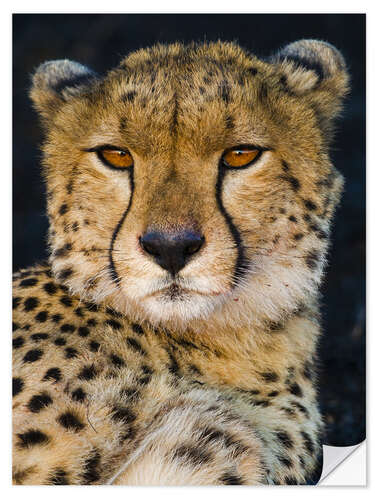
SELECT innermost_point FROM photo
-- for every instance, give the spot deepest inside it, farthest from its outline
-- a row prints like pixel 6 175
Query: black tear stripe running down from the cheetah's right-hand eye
pixel 241 264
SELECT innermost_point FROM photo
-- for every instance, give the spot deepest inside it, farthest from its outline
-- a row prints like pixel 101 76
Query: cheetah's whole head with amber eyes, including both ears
pixel 192 179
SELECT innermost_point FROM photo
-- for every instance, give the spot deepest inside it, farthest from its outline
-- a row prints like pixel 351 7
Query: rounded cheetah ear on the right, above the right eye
pixel 317 71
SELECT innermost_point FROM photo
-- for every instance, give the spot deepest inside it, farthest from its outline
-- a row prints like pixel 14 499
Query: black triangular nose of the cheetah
pixel 171 250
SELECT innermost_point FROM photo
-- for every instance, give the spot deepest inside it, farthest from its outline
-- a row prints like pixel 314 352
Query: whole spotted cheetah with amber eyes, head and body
pixel 171 337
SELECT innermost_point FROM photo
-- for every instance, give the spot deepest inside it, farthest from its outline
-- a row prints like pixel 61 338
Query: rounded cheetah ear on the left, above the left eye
pixel 55 81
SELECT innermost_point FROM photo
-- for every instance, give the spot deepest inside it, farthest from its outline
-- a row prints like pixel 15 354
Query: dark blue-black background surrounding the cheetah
pixel 100 41
